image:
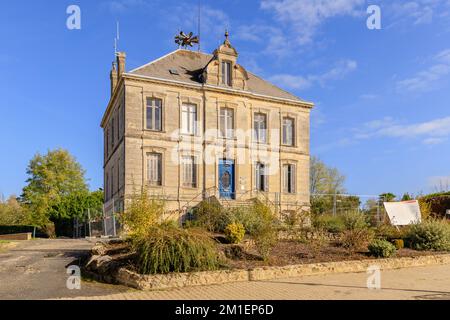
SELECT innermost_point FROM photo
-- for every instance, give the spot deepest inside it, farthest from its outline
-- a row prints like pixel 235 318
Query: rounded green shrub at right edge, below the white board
pixel 429 235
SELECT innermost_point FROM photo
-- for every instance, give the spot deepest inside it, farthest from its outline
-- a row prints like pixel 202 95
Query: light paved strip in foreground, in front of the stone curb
pixel 422 283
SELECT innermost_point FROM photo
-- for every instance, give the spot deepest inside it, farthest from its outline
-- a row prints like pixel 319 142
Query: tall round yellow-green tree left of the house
pixel 52 177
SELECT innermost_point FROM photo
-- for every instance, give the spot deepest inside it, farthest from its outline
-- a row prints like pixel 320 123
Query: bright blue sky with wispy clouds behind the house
pixel 382 96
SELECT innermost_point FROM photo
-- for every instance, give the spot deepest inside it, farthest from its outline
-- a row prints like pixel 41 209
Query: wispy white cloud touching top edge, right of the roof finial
pixel 304 17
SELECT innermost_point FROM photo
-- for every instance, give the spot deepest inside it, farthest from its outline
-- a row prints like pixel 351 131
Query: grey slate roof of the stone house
pixel 190 65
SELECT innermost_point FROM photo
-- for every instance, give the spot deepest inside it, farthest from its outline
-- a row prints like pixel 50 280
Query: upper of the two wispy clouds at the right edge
pixel 428 79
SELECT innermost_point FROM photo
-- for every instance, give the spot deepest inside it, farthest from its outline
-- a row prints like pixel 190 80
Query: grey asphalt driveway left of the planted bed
pixel 37 270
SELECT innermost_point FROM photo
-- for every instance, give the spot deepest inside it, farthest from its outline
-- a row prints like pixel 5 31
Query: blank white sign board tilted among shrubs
pixel 403 213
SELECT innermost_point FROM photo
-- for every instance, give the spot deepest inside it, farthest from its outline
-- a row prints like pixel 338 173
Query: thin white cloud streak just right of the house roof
pixel 288 81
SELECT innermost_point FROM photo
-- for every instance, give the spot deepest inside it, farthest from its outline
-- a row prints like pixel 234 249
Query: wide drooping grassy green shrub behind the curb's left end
pixel 168 249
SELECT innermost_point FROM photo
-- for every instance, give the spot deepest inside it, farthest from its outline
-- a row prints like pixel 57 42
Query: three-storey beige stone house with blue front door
pixel 191 126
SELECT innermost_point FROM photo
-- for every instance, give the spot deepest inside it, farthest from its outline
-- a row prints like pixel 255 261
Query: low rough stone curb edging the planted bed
pixel 179 280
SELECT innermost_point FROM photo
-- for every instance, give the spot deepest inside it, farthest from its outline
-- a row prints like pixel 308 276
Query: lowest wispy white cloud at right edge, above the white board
pixel 430 132
